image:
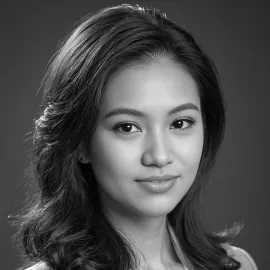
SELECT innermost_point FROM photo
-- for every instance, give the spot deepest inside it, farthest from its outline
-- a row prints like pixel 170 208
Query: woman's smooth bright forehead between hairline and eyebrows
pixel 158 84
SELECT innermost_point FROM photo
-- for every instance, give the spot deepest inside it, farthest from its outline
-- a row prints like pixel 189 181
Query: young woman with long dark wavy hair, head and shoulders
pixel 131 121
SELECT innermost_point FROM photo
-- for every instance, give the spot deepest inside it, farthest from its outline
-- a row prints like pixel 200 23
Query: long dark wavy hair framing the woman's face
pixel 64 225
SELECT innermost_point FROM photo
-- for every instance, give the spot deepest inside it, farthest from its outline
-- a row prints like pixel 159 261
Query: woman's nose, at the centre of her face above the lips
pixel 158 151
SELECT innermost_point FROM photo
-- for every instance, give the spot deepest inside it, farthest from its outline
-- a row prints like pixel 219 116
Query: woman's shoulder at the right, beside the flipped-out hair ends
pixel 239 254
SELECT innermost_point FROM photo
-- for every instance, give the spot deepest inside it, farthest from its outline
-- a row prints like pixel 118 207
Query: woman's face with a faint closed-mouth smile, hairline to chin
pixel 150 124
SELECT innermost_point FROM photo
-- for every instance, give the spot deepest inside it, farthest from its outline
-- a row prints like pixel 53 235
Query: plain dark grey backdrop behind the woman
pixel 236 35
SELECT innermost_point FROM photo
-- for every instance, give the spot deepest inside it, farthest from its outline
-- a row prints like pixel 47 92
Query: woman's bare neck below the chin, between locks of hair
pixel 148 234
